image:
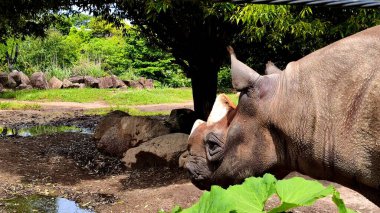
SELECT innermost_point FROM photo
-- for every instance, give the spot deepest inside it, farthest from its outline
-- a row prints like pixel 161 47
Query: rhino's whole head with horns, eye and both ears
pixel 212 158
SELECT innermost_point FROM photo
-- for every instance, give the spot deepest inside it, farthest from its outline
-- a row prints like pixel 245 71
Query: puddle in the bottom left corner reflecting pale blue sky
pixel 38 203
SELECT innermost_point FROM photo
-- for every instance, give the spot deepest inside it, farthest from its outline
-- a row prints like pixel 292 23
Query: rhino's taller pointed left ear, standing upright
pixel 242 75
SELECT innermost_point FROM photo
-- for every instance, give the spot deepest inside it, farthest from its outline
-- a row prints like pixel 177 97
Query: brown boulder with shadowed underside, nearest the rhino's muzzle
pixel 161 151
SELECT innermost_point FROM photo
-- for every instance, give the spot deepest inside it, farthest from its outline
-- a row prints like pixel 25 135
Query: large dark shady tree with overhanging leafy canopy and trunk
pixel 197 31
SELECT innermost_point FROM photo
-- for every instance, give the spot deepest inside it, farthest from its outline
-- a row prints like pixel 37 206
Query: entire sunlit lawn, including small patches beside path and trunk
pixel 118 99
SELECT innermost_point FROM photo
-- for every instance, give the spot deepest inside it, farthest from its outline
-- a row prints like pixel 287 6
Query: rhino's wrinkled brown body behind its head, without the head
pixel 338 90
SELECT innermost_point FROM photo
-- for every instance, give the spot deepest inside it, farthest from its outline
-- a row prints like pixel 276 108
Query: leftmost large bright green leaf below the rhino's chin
pixel 247 197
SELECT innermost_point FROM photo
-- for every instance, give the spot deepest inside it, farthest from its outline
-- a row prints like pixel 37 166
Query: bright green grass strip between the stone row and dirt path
pixel 111 96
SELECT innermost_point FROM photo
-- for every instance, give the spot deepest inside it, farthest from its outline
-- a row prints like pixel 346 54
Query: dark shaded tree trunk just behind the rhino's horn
pixel 204 77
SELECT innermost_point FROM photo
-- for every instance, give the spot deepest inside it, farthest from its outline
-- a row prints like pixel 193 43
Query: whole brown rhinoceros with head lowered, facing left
pixel 320 117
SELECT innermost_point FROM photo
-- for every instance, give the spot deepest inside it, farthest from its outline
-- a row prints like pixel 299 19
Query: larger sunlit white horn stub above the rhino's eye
pixel 220 109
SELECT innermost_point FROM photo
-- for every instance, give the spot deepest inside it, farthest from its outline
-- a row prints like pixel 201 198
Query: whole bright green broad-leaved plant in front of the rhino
pixel 252 195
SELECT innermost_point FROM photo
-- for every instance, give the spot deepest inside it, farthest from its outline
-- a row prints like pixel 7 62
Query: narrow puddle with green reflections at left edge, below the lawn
pixel 41 130
